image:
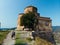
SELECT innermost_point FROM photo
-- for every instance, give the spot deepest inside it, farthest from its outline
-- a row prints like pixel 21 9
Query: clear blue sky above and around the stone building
pixel 9 10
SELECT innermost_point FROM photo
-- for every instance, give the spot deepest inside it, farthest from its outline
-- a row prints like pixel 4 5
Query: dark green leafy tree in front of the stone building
pixel 28 20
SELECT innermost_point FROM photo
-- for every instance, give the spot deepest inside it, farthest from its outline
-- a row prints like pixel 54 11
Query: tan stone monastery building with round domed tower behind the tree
pixel 44 23
